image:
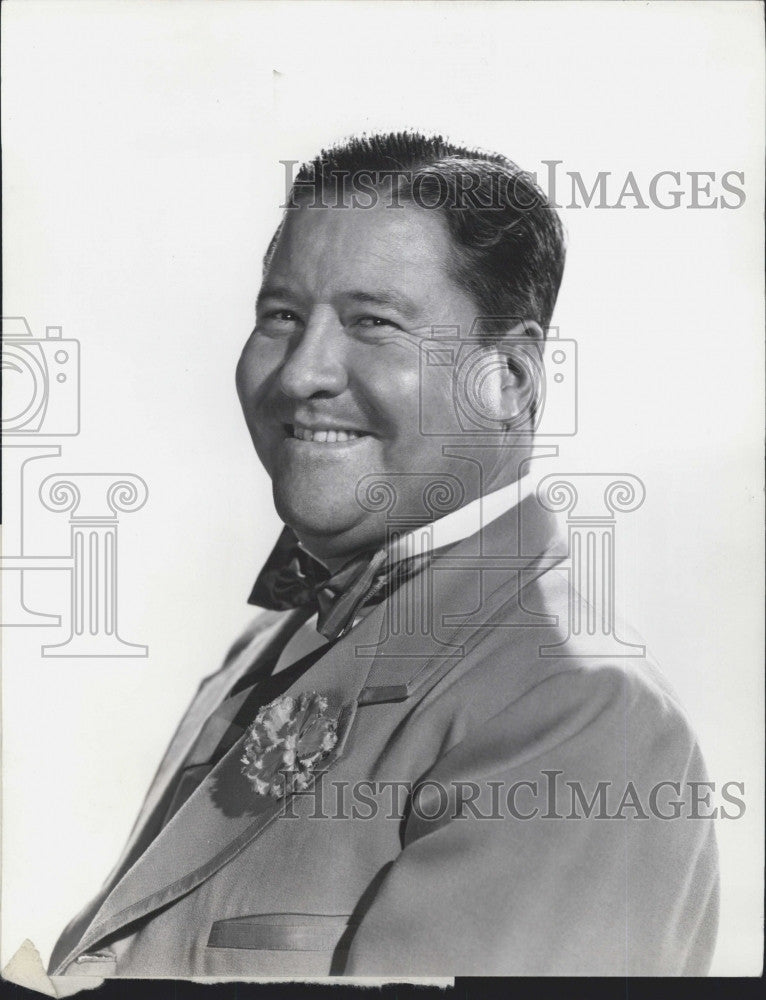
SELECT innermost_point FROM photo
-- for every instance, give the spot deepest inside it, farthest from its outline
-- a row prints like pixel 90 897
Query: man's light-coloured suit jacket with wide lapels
pixel 242 885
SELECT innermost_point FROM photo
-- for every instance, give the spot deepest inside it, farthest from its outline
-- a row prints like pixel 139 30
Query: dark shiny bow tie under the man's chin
pixel 291 578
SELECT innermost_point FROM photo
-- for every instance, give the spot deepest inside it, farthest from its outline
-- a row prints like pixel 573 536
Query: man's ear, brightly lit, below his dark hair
pixel 522 382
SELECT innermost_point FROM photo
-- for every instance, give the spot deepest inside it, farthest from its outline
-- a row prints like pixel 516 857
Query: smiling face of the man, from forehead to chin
pixel 329 379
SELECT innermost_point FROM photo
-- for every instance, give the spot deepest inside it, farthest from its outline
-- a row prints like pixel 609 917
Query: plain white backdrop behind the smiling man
pixel 141 182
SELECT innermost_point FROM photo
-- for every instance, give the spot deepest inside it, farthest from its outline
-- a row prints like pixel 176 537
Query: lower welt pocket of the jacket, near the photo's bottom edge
pixel 280 932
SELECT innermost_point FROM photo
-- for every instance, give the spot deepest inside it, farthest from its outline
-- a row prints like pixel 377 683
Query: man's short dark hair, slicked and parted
pixel 508 241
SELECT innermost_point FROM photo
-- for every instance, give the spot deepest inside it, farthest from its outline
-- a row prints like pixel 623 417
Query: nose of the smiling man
pixel 316 364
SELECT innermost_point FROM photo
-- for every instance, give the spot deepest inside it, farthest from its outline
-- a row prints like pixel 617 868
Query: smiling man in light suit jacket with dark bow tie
pixel 368 786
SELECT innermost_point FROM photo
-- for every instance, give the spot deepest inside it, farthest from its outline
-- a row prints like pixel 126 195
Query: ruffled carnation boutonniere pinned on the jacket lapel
pixel 286 741
